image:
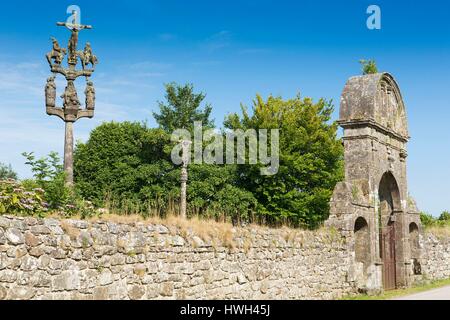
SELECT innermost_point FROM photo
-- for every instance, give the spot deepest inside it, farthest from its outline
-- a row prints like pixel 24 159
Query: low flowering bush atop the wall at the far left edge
pixel 16 198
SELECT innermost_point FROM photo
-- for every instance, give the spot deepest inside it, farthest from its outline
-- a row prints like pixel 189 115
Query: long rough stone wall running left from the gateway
pixel 51 259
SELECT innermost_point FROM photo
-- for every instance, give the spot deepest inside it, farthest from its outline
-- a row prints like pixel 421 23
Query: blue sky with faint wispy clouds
pixel 231 50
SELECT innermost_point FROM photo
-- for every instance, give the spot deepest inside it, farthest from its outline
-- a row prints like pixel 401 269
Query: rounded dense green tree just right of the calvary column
pixel 123 161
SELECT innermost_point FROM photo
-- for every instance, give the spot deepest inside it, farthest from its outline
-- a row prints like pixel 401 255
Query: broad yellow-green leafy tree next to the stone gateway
pixel 311 159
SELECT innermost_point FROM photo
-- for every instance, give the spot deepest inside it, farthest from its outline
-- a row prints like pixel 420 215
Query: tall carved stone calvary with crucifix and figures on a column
pixel 71 110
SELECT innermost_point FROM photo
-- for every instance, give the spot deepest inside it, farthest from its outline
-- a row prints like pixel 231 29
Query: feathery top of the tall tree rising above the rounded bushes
pixel 181 108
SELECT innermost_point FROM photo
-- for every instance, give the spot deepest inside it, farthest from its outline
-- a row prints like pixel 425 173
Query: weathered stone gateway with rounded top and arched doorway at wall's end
pixel 371 207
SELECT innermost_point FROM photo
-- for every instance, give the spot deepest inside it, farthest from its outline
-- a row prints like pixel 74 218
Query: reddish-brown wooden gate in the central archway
pixel 388 256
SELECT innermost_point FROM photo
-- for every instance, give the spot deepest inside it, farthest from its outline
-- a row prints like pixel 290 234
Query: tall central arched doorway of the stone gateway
pixel 389 205
